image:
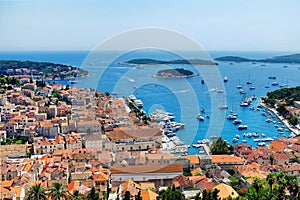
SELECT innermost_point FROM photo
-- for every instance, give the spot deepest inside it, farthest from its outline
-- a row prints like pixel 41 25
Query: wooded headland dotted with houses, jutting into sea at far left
pixel 45 70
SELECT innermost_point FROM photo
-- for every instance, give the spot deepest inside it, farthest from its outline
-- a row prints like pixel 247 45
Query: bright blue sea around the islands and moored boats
pixel 183 97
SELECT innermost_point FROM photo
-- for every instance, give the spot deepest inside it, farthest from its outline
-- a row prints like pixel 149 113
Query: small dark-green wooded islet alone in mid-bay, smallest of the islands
pixel 174 73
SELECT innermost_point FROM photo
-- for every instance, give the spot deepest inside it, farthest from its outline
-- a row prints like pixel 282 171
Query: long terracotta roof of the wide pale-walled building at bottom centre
pixel 135 169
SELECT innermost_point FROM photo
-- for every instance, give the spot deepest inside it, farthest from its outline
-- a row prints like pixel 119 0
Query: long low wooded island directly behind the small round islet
pixel 146 61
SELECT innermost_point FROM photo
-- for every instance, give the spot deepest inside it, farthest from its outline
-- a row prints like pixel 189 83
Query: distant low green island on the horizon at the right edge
pixel 293 59
